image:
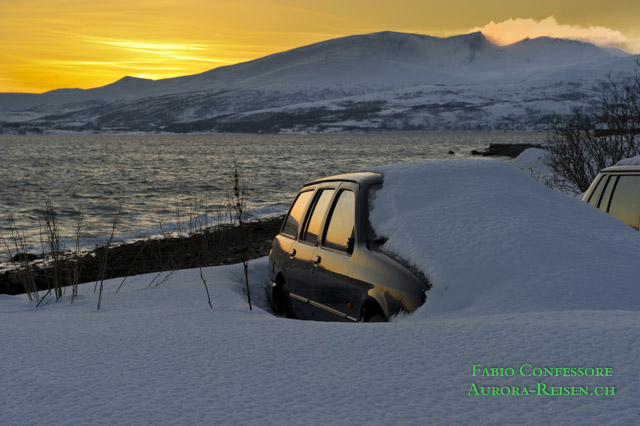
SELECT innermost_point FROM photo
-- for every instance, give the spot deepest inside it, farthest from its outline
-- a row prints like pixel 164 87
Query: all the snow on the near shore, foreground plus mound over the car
pixel 523 277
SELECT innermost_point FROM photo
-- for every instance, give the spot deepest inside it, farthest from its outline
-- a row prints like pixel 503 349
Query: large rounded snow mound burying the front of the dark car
pixel 492 240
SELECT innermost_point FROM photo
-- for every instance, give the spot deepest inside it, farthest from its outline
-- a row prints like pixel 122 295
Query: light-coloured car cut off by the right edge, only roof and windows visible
pixel 616 190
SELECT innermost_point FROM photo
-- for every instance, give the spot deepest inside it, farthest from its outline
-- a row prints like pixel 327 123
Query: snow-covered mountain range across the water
pixel 380 81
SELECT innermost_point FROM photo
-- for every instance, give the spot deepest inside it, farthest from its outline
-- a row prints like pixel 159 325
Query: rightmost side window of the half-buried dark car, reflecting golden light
pixel 341 222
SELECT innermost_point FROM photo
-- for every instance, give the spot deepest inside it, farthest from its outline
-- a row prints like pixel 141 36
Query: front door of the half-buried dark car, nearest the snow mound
pixel 332 259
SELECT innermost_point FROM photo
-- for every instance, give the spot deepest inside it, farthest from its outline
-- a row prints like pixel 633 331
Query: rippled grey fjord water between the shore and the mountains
pixel 159 178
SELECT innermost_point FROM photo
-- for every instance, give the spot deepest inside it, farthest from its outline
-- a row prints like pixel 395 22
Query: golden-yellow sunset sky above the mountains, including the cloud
pixel 46 44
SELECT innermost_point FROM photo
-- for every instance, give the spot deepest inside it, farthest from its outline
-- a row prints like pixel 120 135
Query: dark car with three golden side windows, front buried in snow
pixel 324 263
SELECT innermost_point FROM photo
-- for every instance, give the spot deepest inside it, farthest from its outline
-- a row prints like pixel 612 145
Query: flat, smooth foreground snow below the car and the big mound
pixel 159 355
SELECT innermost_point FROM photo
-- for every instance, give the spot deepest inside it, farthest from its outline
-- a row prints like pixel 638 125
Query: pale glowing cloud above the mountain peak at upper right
pixel 514 30
